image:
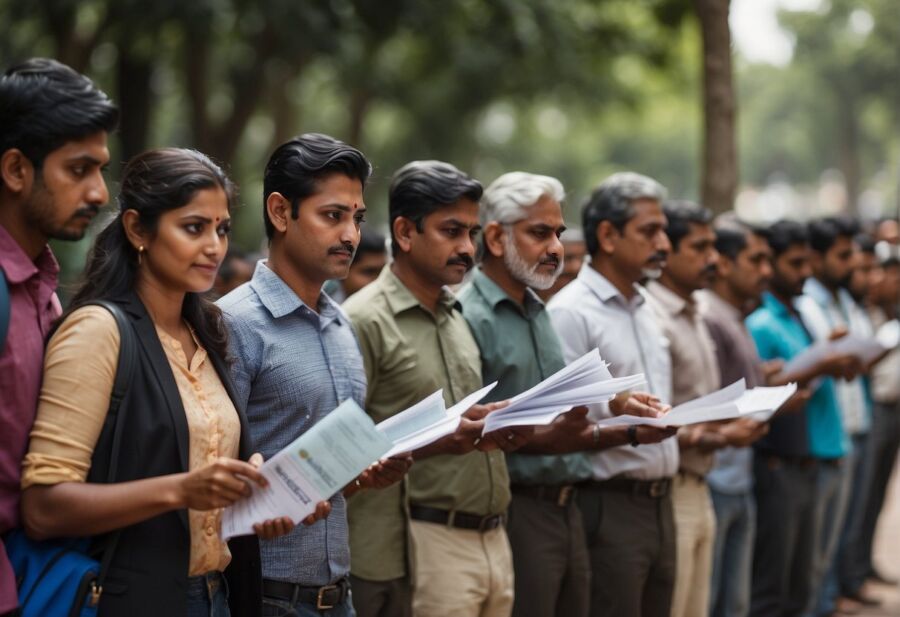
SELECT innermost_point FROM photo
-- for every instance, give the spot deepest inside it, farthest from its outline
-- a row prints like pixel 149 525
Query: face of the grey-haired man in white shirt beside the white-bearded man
pixel 641 248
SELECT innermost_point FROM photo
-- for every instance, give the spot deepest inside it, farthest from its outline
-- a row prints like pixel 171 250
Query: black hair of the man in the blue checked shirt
pixel 296 167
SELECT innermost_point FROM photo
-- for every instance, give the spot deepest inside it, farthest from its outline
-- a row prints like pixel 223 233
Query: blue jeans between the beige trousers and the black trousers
pixel 732 554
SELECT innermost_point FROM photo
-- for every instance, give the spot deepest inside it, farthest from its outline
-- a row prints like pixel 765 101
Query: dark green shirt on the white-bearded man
pixel 519 348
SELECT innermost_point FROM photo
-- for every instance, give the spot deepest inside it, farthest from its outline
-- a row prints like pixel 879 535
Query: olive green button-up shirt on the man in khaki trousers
pixel 410 352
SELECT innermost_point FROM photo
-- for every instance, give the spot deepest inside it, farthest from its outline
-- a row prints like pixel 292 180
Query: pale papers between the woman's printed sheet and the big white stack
pixel 427 421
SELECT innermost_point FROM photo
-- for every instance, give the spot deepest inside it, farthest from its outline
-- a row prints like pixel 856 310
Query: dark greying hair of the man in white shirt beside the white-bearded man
pixel 612 200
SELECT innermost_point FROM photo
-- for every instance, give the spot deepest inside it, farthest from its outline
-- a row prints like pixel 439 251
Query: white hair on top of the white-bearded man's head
pixel 509 196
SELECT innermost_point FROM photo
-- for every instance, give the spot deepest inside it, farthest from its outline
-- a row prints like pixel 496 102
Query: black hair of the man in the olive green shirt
pixel 420 188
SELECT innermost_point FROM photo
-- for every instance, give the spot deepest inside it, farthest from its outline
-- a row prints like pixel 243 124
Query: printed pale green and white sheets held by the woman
pixel 311 469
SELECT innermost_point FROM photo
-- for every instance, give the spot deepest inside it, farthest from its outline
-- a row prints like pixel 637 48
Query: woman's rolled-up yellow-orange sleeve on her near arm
pixel 79 371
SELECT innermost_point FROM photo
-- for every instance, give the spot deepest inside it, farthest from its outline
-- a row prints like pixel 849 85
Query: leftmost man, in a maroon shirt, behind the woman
pixel 52 152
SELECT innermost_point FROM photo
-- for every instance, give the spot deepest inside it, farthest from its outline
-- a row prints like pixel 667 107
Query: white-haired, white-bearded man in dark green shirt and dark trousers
pixel 522 221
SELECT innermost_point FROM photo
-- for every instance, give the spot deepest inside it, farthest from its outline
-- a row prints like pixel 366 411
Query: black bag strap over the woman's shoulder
pixel 124 372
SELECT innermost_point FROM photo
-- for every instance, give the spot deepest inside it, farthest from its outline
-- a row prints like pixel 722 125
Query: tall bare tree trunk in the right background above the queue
pixel 720 173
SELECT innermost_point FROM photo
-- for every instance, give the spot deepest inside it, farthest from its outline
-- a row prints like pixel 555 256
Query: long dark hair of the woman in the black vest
pixel 154 183
